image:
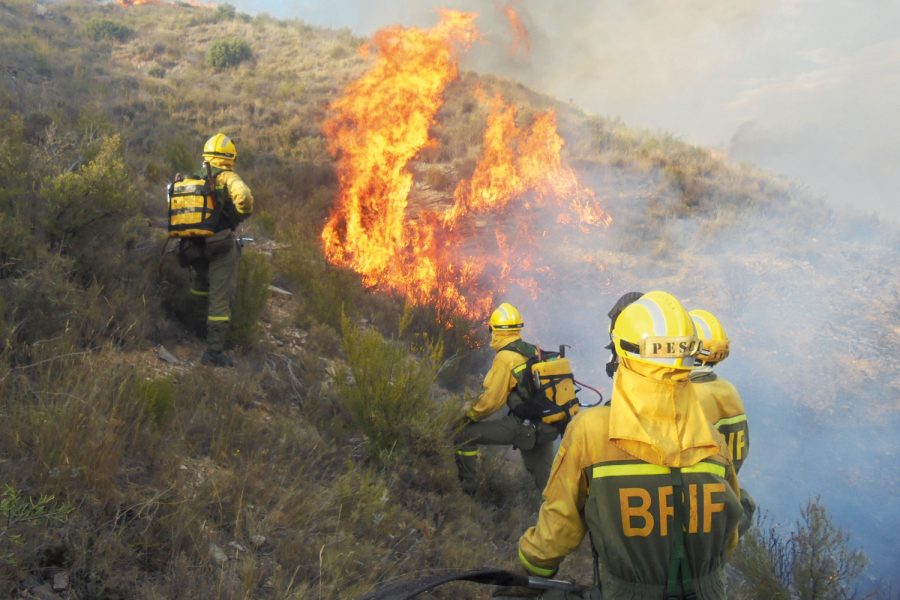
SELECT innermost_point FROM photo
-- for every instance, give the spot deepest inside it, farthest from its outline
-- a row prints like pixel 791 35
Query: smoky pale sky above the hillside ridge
pixel 804 88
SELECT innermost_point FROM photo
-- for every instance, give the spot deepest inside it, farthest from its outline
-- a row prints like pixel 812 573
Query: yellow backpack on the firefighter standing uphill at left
pixel 194 206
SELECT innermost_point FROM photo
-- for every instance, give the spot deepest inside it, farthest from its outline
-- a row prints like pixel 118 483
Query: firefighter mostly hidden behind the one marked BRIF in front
pixel 720 399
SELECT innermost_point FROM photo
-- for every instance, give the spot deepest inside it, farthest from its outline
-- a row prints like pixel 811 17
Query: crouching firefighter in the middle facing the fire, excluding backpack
pixel 534 440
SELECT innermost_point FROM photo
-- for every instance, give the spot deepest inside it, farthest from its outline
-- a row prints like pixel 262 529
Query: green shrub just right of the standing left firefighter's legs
pixel 254 277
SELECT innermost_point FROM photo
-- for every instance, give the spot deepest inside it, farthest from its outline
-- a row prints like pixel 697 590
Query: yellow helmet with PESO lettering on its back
pixel 656 329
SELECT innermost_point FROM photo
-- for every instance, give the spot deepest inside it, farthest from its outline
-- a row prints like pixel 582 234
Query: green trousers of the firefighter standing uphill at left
pixel 212 288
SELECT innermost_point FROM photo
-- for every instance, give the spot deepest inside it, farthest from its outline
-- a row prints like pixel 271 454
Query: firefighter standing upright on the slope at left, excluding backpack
pixel 214 260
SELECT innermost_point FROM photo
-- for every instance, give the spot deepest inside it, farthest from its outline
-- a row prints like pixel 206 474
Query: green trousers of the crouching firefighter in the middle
pixel 534 442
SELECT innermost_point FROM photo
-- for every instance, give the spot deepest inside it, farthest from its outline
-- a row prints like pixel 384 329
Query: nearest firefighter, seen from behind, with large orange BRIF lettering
pixel 648 476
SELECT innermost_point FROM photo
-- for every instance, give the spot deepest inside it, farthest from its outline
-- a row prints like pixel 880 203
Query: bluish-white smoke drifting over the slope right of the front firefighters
pixel 806 300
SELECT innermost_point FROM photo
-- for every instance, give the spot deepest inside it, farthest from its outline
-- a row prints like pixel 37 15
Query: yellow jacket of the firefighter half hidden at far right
pixel 723 407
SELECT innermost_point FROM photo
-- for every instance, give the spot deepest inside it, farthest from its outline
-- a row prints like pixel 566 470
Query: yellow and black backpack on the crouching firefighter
pixel 545 386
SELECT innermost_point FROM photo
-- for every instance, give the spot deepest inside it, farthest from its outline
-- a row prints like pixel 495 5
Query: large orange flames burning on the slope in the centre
pixel 438 257
